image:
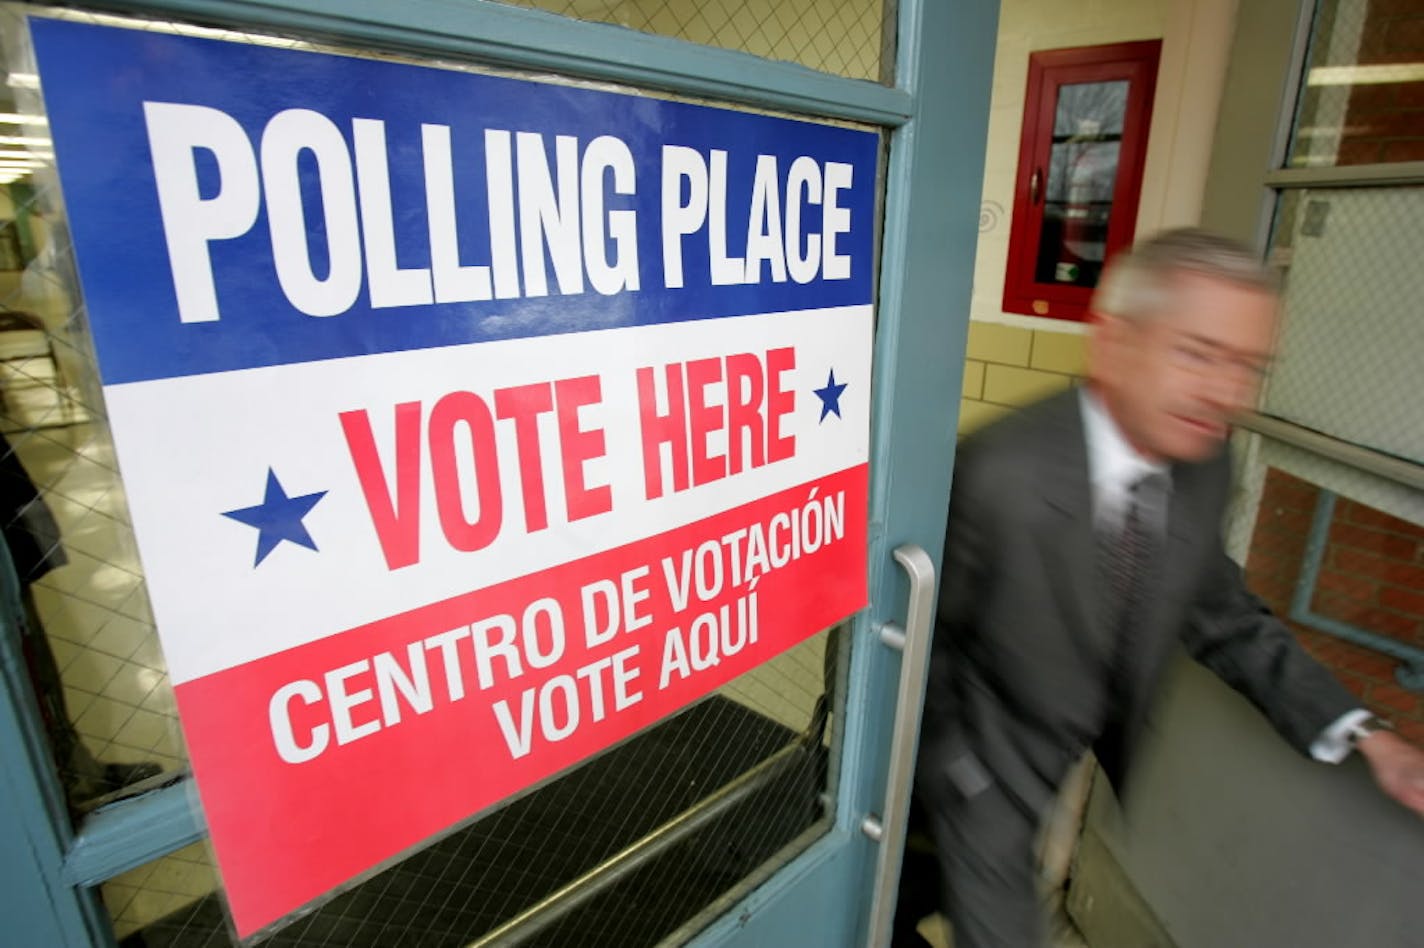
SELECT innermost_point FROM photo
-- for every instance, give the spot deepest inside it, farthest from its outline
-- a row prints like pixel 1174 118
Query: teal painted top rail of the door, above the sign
pixel 535 41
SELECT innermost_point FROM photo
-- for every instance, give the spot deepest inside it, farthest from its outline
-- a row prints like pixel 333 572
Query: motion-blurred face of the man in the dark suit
pixel 1174 382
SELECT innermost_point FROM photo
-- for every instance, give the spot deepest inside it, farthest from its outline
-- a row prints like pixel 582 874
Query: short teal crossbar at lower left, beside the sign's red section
pixel 129 833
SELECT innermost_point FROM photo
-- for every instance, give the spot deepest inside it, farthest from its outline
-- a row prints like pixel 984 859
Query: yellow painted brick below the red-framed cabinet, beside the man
pixel 1009 368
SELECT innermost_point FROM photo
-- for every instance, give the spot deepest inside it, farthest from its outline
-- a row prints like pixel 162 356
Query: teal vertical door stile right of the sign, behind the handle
pixel 933 194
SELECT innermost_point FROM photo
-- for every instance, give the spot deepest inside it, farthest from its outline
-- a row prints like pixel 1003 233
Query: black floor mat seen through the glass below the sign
pixel 476 879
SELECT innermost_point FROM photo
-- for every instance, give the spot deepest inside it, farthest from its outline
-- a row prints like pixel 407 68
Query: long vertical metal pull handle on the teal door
pixel 913 644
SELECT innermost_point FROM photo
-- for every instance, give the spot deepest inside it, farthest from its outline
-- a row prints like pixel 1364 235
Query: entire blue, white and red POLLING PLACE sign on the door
pixel 469 425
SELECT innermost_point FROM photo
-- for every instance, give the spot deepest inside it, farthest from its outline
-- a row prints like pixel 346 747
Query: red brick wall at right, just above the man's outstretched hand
pixel 1372 577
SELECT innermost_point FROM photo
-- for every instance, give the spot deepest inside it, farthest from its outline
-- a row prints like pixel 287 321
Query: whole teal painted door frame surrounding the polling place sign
pixel 935 120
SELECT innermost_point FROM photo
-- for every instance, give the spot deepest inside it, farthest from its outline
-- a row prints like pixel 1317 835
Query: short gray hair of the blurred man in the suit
pixel 1138 284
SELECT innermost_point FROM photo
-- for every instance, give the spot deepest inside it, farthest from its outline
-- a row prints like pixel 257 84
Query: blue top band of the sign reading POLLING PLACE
pixel 240 206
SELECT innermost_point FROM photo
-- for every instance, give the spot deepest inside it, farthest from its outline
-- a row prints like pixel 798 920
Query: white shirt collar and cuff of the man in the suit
pixel 1114 466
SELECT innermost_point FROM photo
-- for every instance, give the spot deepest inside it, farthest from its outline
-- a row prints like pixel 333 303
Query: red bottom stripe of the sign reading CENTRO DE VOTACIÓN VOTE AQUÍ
pixel 324 761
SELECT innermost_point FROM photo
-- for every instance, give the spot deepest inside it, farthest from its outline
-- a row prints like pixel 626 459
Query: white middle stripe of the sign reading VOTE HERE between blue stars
pixel 505 459
